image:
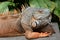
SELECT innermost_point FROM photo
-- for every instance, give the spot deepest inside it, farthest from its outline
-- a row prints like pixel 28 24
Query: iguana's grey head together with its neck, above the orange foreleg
pixel 35 16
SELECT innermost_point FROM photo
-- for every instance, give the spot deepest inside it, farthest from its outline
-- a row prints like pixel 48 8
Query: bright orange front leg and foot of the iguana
pixel 31 35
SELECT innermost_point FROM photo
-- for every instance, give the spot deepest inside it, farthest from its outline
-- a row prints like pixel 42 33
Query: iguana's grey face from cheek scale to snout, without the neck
pixel 41 17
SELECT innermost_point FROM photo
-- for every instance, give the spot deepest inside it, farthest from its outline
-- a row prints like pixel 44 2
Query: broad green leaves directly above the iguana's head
pixel 42 4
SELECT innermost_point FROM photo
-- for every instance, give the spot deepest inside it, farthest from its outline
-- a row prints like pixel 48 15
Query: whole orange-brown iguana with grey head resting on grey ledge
pixel 26 23
